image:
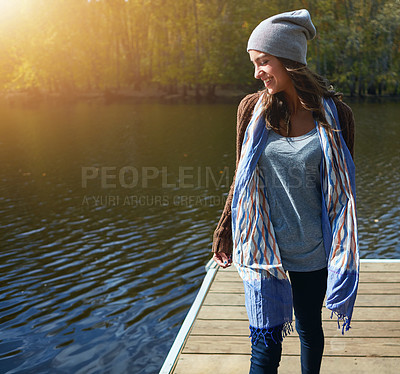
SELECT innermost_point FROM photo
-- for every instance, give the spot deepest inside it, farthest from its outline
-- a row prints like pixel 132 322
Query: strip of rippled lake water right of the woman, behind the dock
pixel 378 178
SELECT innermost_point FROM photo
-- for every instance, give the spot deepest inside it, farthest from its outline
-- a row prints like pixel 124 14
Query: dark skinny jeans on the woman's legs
pixel 308 290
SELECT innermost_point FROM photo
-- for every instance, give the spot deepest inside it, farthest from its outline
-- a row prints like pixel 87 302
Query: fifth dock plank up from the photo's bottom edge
pixel 214 298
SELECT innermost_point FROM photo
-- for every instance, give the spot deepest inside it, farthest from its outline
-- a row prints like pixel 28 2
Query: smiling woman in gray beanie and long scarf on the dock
pixel 289 224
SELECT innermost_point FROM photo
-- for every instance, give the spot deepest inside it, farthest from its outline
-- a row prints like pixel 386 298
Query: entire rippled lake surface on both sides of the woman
pixel 107 215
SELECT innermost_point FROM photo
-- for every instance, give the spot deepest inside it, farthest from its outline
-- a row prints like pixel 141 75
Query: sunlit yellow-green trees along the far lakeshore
pixel 187 45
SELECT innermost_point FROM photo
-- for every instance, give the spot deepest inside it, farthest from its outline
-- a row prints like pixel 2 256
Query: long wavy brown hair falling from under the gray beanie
pixel 310 87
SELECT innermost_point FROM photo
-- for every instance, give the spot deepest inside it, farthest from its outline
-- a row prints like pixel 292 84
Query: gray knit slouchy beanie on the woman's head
pixel 284 35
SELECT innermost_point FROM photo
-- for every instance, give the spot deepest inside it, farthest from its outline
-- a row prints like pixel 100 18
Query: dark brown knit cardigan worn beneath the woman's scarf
pixel 222 239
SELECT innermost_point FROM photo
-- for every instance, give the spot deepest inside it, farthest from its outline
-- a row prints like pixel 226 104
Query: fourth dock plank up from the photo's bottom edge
pixel 360 313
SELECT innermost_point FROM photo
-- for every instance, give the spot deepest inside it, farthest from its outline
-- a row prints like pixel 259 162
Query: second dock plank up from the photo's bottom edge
pixel 348 347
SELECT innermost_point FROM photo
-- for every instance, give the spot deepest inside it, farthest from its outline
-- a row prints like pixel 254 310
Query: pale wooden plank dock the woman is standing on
pixel 215 339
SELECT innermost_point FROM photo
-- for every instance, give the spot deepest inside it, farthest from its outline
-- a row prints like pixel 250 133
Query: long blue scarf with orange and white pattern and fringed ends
pixel 255 249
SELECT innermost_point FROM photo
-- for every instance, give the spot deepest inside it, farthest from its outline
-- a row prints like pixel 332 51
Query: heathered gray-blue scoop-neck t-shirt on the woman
pixel 291 170
